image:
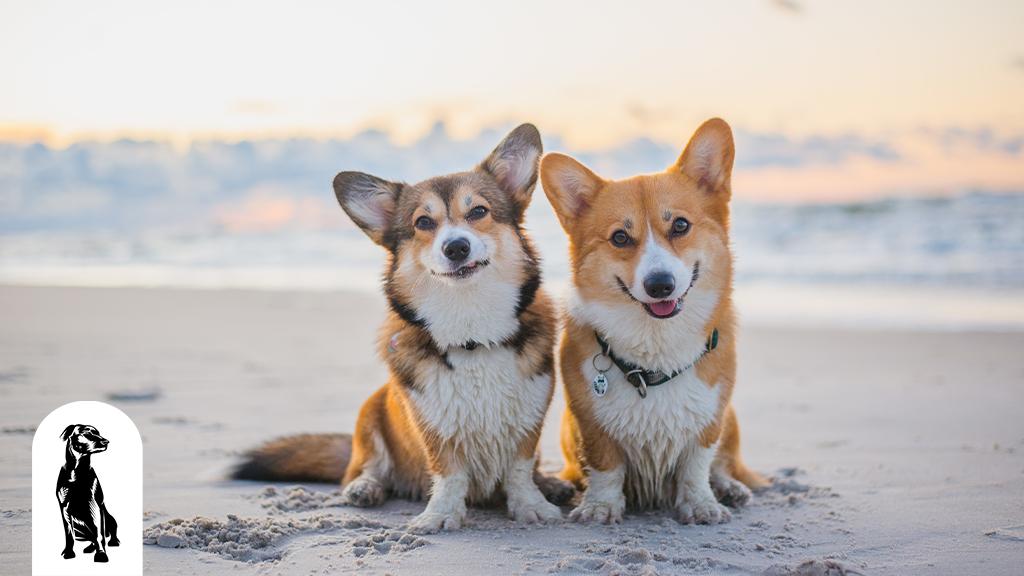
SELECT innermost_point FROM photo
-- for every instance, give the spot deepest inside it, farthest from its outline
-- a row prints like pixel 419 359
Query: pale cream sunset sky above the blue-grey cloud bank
pixel 937 81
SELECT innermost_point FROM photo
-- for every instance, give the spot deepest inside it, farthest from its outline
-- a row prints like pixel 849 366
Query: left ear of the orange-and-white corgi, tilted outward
pixel 571 188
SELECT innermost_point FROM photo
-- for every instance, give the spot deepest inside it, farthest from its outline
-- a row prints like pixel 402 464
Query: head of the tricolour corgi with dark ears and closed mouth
pixel 455 241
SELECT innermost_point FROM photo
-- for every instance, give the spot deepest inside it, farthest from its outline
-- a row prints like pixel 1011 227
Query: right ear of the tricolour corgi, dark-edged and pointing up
pixel 515 164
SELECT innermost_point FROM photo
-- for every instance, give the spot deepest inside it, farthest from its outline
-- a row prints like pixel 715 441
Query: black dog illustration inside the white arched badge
pixel 81 499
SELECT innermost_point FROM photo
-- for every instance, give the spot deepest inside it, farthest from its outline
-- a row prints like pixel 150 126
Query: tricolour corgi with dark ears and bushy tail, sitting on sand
pixel 470 343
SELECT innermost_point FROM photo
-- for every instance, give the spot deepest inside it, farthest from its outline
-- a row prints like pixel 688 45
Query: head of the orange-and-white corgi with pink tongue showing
pixel 648 243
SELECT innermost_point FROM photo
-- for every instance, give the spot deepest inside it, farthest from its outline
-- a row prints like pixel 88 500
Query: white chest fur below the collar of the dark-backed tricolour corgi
pixel 486 407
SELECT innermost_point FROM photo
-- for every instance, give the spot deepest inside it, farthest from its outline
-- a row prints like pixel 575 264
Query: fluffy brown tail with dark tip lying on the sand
pixel 309 458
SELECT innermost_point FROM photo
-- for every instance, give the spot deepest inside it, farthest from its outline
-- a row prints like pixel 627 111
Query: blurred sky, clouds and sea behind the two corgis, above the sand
pixel 880 146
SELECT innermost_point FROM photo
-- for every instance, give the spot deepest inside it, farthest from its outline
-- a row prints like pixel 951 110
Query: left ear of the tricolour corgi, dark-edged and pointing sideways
pixel 368 200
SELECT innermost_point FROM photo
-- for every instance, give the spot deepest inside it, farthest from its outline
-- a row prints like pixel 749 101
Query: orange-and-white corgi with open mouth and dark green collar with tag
pixel 649 356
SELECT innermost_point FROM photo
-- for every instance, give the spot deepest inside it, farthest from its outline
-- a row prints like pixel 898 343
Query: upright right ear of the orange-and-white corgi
pixel 708 158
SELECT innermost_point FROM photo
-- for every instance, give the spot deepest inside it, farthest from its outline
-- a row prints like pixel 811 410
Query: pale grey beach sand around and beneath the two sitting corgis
pixel 893 452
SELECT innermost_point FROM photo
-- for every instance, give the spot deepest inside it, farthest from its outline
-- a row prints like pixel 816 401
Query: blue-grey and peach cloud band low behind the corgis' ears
pixel 257 186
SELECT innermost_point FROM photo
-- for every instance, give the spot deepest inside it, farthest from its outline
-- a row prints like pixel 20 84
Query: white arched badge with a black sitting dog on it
pixel 90 457
